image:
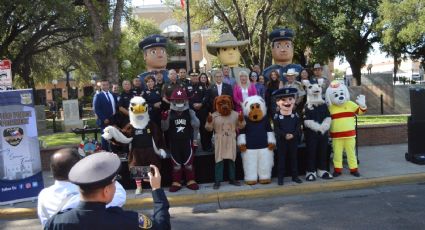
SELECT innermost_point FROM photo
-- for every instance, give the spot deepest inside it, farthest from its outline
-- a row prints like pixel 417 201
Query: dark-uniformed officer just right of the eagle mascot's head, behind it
pixel 152 96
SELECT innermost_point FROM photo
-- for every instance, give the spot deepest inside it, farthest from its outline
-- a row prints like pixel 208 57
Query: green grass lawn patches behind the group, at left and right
pixel 58 139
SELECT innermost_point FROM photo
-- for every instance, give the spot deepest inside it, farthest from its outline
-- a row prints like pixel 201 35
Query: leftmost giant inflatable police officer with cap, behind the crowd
pixel 155 56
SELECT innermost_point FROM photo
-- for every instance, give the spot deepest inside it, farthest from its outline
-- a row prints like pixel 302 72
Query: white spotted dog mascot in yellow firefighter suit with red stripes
pixel 342 131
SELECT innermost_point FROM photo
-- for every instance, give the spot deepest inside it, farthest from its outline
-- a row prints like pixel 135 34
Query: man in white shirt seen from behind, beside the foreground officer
pixel 64 194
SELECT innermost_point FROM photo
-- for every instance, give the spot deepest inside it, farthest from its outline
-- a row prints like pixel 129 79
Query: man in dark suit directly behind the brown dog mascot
pixel 217 89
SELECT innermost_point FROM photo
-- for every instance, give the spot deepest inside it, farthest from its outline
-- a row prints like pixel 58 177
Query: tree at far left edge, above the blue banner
pixel 30 28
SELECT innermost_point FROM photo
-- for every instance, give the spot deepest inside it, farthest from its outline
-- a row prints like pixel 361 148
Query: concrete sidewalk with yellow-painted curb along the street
pixel 379 165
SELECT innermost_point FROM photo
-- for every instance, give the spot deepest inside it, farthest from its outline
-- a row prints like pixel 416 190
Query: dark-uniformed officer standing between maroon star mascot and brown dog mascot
pixel 198 103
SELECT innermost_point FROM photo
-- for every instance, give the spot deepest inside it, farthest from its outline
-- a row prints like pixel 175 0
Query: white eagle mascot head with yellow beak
pixel 138 112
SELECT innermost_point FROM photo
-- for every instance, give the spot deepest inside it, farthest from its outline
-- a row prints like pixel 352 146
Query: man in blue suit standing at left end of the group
pixel 105 107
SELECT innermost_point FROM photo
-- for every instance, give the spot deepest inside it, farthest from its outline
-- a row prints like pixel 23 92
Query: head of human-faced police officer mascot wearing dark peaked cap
pixel 285 99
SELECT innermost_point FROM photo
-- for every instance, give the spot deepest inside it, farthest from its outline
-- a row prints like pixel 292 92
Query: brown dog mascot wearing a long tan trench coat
pixel 224 122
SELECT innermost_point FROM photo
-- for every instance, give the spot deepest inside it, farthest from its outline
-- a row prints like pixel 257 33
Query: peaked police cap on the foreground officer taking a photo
pixel 95 171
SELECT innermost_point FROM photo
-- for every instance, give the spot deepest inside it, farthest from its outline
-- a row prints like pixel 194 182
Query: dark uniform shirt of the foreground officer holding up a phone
pixel 94 215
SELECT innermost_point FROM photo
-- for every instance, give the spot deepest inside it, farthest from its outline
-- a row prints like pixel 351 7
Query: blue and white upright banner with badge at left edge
pixel 20 166
